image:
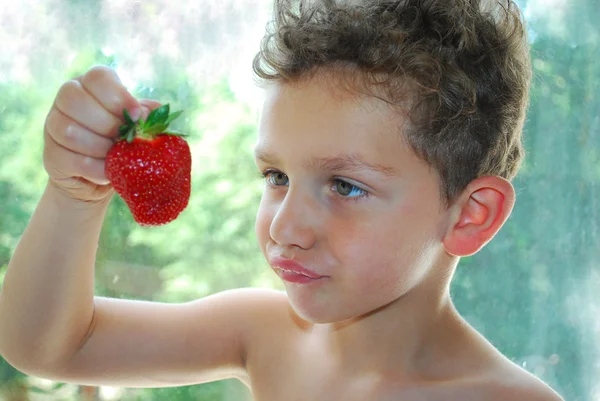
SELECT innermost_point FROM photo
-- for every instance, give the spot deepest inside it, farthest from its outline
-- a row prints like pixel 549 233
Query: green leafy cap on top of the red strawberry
pixel 156 124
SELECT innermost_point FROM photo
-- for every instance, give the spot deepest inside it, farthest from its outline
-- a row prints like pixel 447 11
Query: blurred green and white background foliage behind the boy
pixel 531 291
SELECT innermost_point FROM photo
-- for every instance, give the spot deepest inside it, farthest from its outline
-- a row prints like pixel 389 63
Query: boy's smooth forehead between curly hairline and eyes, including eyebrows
pixel 306 124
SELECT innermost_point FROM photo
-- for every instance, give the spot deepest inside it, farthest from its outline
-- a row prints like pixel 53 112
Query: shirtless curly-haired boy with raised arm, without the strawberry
pixel 387 140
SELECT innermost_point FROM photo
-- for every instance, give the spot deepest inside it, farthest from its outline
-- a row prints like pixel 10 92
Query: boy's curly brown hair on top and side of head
pixel 464 65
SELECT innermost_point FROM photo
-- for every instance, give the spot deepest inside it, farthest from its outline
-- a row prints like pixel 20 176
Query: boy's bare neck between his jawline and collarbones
pixel 401 338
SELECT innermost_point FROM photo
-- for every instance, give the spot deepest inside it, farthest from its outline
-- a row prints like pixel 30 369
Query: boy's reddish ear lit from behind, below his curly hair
pixel 478 215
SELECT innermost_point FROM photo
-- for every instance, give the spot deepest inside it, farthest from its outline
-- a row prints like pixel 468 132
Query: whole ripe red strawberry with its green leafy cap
pixel 150 168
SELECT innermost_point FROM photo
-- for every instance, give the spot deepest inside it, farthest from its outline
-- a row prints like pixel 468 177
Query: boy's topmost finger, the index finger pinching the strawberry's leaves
pixel 104 85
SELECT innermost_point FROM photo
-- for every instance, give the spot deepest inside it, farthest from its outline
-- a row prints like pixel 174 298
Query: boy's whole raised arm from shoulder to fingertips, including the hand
pixel 51 325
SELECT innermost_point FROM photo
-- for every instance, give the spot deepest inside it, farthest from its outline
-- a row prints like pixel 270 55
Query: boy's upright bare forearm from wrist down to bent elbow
pixel 46 302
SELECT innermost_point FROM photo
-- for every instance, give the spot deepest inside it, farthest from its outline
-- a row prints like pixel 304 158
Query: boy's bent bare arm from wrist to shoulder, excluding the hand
pixel 53 327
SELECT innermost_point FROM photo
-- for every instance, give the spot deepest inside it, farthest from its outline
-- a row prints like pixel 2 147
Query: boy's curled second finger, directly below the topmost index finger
pixel 75 102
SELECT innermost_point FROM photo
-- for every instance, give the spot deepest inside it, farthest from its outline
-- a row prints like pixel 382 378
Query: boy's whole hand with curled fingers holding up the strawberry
pixel 80 129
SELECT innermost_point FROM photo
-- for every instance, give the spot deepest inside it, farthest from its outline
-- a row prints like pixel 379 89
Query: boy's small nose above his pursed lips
pixel 295 222
